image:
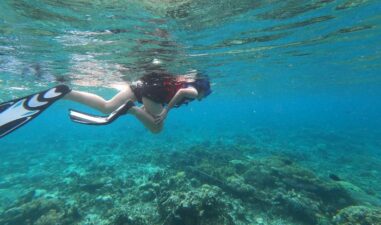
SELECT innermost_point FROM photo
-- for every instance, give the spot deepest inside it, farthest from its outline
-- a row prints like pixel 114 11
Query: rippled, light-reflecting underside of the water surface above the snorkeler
pixel 94 43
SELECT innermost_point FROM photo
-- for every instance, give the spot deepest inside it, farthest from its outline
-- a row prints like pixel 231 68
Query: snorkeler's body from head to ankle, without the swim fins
pixel 158 93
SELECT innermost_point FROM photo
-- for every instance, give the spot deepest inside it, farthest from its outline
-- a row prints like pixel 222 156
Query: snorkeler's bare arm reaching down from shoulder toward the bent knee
pixel 189 92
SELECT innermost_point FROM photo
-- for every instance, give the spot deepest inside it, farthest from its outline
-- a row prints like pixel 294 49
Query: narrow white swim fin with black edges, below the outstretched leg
pixel 88 119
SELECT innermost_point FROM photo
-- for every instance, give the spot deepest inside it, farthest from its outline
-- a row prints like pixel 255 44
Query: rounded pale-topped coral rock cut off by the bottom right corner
pixel 361 215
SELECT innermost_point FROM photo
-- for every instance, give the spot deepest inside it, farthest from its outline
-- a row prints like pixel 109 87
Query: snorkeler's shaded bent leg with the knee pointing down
pixel 147 113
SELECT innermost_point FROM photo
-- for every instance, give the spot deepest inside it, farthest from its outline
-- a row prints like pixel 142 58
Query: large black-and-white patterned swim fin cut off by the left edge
pixel 15 113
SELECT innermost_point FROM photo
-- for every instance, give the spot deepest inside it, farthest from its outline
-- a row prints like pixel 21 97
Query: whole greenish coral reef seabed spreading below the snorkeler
pixel 207 183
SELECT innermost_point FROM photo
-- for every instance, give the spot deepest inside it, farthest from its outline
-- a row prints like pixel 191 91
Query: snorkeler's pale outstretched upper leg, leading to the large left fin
pixel 99 103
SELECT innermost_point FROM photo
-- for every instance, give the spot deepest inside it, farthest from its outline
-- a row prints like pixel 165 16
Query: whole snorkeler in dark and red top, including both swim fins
pixel 158 92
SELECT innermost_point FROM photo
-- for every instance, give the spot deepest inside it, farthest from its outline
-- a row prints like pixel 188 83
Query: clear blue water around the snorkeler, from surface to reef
pixel 294 78
